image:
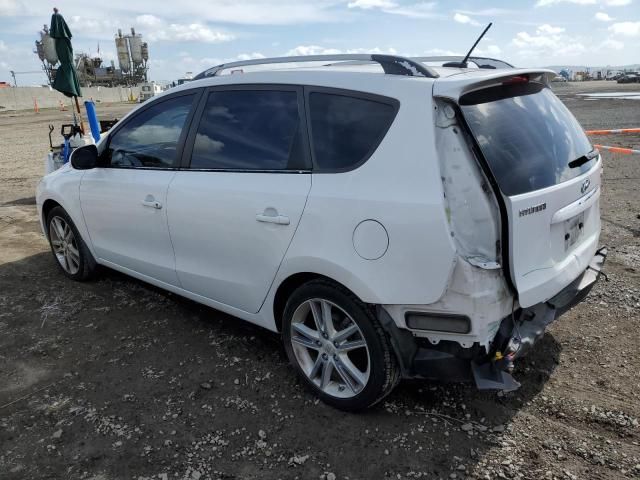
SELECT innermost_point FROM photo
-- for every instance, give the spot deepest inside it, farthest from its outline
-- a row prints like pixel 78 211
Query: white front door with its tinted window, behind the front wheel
pixel 124 202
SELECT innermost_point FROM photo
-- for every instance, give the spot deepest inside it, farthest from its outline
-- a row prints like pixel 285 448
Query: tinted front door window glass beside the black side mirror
pixel 150 139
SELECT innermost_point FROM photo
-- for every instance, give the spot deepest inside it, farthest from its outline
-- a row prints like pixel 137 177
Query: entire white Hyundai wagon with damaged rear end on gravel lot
pixel 390 219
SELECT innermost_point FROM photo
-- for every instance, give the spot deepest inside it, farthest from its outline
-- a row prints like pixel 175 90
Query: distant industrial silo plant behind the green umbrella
pixel 132 54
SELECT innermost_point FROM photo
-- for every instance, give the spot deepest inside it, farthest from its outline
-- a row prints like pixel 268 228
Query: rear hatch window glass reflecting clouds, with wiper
pixel 529 138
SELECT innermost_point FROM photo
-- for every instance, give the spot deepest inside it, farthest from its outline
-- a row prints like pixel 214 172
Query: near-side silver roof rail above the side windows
pixel 391 64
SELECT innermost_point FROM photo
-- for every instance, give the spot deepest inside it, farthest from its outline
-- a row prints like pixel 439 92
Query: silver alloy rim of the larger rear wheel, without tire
pixel 330 348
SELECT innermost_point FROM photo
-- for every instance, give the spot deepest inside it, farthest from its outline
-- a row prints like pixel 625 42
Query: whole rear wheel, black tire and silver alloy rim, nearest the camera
pixel 338 347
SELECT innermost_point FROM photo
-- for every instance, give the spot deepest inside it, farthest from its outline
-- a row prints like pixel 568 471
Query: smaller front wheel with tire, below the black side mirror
pixel 71 253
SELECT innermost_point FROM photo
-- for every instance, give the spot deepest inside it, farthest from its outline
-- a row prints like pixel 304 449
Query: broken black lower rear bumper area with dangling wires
pixel 516 337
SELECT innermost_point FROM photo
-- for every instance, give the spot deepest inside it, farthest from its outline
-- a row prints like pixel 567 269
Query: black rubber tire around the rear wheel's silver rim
pixel 384 372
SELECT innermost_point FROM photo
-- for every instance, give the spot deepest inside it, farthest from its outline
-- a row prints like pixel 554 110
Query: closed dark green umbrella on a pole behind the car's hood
pixel 66 80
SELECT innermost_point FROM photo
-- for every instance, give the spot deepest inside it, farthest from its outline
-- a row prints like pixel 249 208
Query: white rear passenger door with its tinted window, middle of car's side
pixel 234 207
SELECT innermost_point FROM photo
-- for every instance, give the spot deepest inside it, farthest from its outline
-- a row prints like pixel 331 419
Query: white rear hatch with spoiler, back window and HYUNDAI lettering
pixel 544 170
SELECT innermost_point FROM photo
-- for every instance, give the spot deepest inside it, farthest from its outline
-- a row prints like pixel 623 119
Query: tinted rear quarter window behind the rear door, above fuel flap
pixel 346 130
